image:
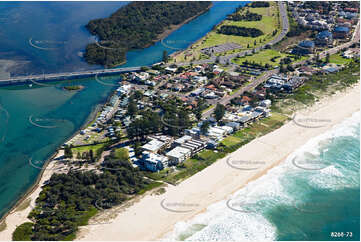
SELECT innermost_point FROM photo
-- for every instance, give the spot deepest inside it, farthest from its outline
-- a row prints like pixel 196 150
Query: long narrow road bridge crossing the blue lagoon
pixel 18 80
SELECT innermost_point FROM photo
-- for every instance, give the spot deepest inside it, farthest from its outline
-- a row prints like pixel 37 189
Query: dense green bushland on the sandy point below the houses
pixel 69 200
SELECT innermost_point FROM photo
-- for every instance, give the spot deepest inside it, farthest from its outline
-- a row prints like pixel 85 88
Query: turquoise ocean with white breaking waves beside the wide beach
pixel 313 195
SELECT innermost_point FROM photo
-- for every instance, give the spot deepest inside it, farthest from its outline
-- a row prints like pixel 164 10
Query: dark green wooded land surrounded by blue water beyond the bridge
pixel 135 26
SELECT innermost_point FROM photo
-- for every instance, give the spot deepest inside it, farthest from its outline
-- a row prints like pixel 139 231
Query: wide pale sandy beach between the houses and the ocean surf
pixel 219 181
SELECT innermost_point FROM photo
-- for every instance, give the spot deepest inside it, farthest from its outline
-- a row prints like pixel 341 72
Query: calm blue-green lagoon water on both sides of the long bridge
pixel 35 120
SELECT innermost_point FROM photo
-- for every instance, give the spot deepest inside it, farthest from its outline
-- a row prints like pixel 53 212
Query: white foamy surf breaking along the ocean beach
pixel 285 184
